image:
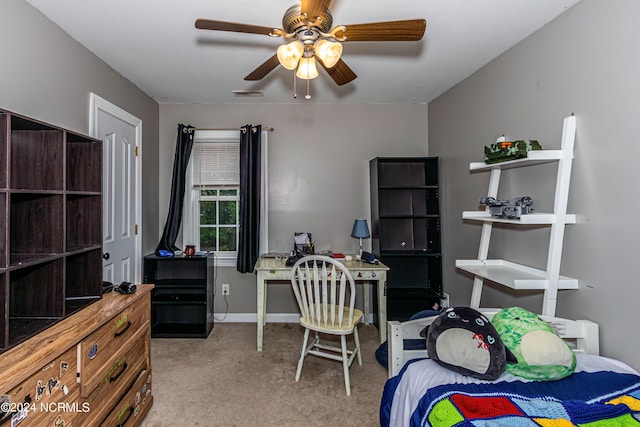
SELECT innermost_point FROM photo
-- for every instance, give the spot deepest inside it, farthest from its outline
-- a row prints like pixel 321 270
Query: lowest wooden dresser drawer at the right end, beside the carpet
pixel 134 406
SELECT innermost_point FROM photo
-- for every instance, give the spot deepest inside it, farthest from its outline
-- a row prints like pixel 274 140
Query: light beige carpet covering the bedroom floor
pixel 224 381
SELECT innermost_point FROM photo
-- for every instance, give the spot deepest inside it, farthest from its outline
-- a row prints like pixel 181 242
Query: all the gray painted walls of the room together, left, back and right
pixel 584 62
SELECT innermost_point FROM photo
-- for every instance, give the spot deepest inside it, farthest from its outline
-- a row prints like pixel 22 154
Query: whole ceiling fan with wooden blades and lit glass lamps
pixel 308 26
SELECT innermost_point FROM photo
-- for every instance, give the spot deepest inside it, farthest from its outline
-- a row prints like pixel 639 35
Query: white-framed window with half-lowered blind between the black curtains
pixel 212 205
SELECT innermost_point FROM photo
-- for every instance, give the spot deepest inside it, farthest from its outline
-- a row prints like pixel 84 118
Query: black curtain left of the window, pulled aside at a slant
pixel 184 143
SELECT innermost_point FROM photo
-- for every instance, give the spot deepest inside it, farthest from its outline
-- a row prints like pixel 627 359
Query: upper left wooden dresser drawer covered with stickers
pixel 50 393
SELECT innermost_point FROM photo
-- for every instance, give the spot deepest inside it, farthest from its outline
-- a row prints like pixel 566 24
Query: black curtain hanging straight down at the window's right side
pixel 250 194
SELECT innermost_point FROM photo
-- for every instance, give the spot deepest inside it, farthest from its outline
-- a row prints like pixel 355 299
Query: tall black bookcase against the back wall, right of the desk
pixel 405 217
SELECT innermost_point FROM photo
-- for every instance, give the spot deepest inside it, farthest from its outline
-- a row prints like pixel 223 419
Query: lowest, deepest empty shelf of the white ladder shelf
pixel 512 275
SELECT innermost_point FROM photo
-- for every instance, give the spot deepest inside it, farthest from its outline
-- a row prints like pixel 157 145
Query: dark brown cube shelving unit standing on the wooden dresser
pixel 50 225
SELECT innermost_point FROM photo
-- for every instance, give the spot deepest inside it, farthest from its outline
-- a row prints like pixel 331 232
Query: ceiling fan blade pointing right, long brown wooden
pixel 400 31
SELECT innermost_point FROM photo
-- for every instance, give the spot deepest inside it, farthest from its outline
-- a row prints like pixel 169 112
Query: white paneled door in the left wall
pixel 120 133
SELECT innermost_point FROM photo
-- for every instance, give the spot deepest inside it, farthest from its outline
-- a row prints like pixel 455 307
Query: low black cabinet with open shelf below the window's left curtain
pixel 182 299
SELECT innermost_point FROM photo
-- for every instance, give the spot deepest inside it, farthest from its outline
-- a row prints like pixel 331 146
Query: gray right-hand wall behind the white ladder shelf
pixel 585 62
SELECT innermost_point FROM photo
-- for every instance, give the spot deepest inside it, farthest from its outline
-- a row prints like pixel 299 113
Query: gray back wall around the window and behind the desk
pixel 318 173
